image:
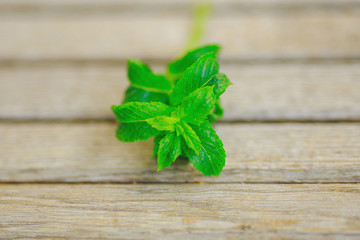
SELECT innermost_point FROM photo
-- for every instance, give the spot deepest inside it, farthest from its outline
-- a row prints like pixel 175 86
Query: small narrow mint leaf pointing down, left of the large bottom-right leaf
pixel 169 150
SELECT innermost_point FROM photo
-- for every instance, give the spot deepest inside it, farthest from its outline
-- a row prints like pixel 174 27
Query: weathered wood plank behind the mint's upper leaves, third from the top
pixel 260 92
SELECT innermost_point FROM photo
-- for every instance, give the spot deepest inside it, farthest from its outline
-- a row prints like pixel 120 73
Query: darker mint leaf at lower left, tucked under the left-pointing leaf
pixel 136 131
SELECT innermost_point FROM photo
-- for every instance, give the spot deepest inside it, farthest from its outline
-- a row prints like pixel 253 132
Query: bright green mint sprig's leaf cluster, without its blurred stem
pixel 176 109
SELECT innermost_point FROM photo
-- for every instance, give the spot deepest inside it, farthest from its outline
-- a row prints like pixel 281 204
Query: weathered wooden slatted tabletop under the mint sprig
pixel 291 128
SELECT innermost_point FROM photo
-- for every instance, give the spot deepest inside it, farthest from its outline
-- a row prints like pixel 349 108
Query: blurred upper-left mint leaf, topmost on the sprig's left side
pixel 141 76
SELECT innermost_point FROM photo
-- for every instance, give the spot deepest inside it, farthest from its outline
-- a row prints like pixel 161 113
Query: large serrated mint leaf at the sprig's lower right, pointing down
pixel 211 159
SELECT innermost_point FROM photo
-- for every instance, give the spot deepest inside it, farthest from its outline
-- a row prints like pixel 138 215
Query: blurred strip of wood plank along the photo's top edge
pixel 141 8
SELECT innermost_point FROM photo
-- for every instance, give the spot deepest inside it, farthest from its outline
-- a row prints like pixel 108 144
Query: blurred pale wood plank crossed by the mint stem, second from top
pixel 313 34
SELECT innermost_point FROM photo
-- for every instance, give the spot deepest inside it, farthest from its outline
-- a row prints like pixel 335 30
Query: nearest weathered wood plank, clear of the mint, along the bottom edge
pixel 220 211
